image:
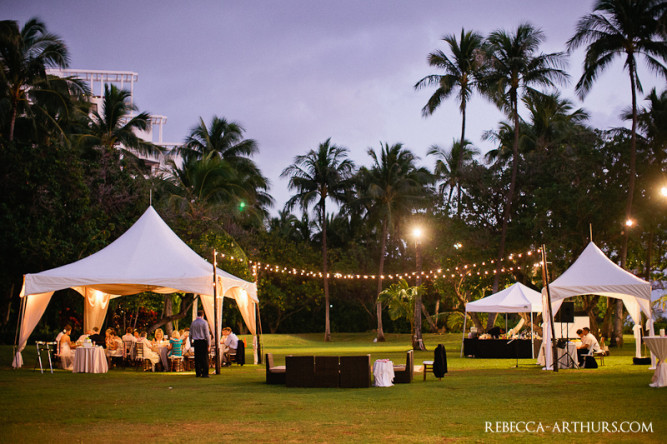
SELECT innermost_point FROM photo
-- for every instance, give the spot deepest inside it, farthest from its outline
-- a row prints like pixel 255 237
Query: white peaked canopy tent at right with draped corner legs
pixel 594 273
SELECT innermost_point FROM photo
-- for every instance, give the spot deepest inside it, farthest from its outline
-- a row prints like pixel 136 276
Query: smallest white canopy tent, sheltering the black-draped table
pixel 516 298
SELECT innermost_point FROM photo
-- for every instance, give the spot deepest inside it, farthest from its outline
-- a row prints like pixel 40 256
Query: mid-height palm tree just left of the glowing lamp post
pixel 389 190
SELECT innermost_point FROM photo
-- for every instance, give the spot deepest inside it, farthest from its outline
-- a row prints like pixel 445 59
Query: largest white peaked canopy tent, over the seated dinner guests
pixel 147 257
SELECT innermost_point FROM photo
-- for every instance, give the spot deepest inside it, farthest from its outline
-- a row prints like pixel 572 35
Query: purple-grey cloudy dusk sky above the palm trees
pixel 296 72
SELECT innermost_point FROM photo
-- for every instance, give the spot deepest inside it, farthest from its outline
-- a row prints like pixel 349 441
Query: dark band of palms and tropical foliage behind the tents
pixel 73 178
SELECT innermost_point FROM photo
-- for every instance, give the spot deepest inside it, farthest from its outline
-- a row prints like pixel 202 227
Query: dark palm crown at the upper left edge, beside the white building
pixel 25 55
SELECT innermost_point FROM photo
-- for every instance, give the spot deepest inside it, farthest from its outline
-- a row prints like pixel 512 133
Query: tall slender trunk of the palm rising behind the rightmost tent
pixel 617 338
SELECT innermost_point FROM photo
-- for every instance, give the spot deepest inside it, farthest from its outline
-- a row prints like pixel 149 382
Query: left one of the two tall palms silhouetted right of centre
pixel 461 72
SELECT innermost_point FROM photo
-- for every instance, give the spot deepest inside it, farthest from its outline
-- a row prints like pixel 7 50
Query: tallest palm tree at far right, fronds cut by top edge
pixel 626 28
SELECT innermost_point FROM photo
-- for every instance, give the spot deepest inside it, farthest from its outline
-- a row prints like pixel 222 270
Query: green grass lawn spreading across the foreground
pixel 132 406
